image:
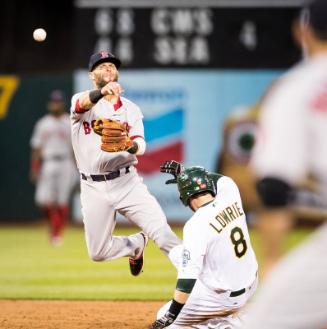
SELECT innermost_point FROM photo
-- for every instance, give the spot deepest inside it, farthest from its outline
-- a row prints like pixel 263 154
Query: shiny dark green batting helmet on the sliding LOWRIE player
pixel 192 181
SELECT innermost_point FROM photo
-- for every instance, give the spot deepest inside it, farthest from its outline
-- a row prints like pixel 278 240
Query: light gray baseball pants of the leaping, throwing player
pixel 130 197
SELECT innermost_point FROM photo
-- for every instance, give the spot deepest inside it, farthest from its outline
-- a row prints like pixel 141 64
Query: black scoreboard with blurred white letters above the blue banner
pixel 201 37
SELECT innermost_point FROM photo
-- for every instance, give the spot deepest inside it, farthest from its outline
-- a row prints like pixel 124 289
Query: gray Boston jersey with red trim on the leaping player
pixel 87 144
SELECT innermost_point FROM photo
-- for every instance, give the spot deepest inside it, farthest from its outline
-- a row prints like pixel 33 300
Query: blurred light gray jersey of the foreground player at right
pixel 292 137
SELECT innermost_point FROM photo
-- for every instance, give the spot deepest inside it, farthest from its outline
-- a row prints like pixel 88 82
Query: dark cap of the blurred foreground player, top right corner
pixel 317 15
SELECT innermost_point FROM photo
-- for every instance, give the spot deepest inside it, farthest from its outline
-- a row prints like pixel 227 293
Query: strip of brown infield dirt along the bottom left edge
pixel 25 314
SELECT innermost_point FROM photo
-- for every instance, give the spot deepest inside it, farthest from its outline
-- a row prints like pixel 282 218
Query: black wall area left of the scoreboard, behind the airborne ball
pixel 20 54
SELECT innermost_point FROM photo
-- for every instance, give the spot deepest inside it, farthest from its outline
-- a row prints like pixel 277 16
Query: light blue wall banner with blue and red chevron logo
pixel 184 113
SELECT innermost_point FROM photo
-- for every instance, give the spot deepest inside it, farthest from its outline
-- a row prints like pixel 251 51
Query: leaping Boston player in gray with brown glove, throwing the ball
pixel 107 136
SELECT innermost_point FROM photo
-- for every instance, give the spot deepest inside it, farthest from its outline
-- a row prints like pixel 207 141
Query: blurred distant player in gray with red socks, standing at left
pixel 52 166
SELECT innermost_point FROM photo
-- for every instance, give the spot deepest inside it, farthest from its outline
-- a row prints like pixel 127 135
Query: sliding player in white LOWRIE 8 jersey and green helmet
pixel 217 268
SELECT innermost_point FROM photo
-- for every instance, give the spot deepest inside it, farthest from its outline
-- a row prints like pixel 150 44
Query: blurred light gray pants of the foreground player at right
pixel 294 294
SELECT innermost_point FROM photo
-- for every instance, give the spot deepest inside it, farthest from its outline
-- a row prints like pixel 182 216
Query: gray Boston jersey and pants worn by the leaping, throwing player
pixel 121 190
